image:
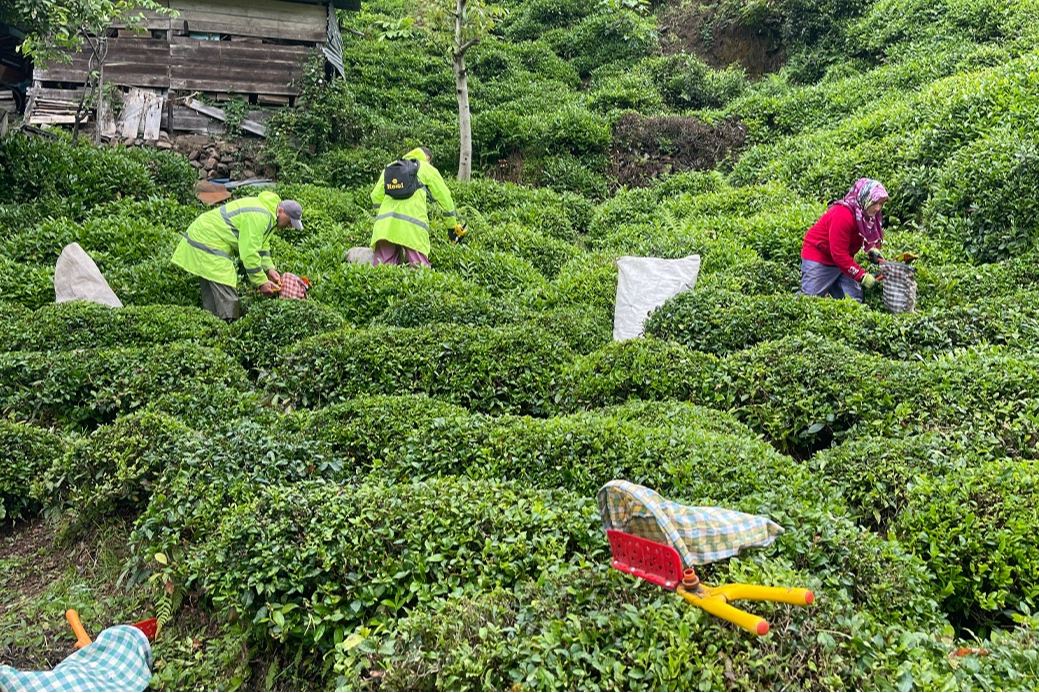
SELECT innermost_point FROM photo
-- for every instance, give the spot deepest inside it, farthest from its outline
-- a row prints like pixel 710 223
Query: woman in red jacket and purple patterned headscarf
pixel 829 266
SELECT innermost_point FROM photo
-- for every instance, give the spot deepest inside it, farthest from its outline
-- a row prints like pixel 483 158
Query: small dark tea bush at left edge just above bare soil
pixel 28 451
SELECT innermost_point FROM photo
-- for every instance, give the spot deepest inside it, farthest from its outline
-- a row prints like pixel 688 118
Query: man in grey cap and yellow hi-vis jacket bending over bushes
pixel 241 229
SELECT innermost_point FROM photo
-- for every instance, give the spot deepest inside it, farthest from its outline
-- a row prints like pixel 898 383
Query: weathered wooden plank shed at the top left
pixel 219 49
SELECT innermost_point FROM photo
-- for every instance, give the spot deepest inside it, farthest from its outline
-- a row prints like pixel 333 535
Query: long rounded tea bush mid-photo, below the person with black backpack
pixel 490 369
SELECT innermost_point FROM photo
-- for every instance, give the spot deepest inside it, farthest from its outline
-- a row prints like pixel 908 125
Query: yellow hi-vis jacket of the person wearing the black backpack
pixel 407 222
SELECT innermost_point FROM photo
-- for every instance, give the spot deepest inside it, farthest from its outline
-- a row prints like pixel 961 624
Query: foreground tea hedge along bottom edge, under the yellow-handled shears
pixel 583 630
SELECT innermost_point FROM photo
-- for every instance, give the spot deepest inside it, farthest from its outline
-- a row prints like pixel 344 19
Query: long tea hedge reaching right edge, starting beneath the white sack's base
pixel 802 391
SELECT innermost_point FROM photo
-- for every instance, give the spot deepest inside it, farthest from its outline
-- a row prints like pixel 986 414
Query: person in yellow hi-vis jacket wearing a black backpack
pixel 402 221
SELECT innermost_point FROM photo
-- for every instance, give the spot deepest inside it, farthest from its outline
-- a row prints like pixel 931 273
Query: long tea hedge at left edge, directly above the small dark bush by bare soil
pixel 87 389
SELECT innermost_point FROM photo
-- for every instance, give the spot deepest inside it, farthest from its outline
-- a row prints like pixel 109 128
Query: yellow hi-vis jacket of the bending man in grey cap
pixel 241 229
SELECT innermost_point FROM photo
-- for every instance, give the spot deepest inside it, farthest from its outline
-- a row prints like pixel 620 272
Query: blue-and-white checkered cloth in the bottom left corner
pixel 120 661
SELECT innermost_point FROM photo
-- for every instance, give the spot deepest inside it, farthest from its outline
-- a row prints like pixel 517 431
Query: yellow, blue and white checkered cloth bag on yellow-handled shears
pixel 700 535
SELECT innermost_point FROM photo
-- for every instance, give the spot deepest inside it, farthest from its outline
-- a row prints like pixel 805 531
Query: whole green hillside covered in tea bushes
pixel 391 486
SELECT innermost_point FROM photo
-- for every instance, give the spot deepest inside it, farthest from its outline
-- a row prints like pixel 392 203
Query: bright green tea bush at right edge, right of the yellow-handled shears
pixel 971 518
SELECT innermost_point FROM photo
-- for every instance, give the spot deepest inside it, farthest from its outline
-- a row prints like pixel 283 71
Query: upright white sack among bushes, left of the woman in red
pixel 645 284
